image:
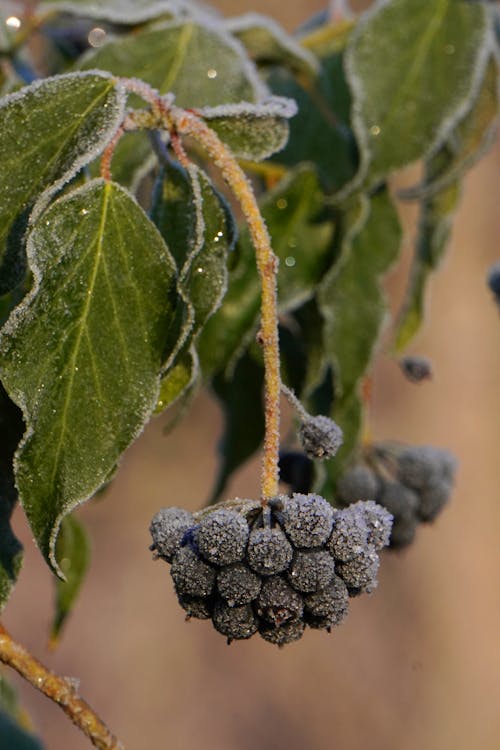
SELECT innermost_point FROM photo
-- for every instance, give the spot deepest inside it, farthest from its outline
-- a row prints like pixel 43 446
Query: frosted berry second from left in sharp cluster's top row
pixel 222 537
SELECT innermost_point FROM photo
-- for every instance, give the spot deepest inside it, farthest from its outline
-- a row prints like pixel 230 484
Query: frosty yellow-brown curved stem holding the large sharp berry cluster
pixel 189 124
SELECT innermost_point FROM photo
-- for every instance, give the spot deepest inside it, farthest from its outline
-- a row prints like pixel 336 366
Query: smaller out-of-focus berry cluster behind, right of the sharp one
pixel 412 482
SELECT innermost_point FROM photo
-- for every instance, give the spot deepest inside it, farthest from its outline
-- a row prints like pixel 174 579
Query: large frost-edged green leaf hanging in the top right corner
pixel 413 68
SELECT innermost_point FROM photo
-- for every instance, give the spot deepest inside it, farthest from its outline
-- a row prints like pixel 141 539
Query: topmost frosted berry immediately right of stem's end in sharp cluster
pixel 307 520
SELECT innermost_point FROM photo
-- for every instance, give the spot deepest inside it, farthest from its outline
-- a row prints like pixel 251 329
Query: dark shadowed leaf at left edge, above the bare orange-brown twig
pixel 11 550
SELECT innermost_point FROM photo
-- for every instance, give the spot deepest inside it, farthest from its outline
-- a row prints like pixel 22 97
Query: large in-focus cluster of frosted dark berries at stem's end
pixel 271 570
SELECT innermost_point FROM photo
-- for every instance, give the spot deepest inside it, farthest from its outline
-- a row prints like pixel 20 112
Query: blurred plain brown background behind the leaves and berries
pixel 416 665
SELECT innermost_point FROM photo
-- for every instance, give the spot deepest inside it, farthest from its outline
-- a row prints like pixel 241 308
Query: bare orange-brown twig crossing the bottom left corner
pixel 59 689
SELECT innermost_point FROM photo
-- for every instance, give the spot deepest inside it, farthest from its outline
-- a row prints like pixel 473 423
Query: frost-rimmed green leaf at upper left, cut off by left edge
pixel 48 131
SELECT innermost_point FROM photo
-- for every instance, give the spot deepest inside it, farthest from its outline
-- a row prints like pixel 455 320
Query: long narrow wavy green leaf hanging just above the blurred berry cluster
pixel 353 306
